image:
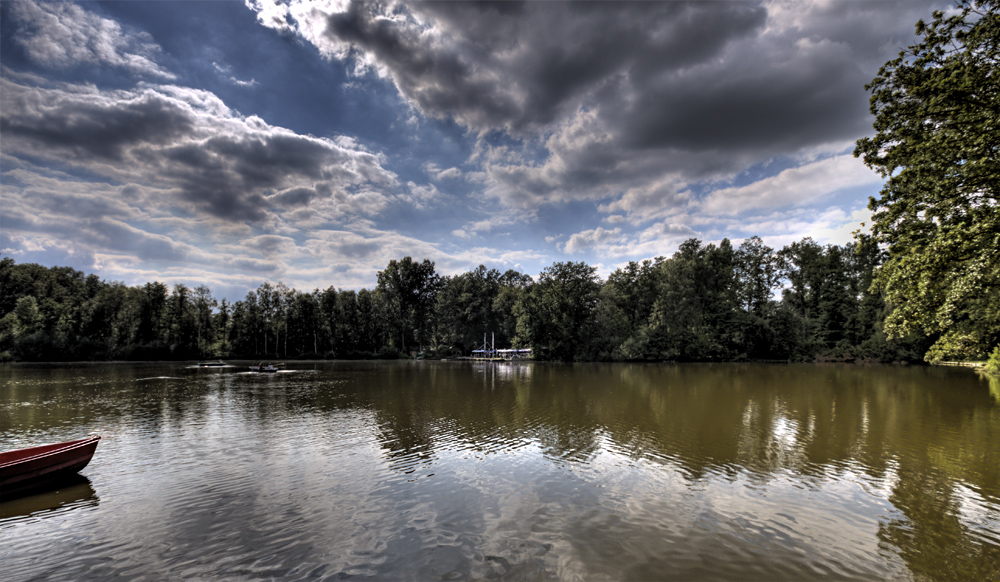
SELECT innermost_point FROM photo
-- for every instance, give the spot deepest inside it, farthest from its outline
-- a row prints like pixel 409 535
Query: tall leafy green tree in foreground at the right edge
pixel 937 123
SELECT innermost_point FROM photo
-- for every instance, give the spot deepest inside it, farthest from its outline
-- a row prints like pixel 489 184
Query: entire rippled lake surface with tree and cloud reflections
pixel 459 471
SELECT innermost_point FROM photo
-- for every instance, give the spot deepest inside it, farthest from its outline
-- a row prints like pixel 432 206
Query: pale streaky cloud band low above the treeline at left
pixel 98 225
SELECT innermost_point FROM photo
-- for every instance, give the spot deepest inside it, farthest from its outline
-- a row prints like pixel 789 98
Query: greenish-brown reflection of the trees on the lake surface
pixel 920 437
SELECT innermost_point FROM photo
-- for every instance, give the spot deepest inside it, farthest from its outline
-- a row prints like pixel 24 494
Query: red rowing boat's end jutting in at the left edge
pixel 25 468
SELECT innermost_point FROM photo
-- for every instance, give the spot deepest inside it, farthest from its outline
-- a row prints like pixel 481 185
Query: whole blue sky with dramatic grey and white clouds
pixel 230 143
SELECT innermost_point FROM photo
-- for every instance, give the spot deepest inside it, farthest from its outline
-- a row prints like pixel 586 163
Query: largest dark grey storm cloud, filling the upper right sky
pixel 623 95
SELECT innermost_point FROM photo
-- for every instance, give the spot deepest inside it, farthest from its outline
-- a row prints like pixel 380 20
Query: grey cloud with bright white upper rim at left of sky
pixel 182 140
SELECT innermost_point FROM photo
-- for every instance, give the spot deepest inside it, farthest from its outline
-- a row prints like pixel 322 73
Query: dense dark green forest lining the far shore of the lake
pixel 707 302
